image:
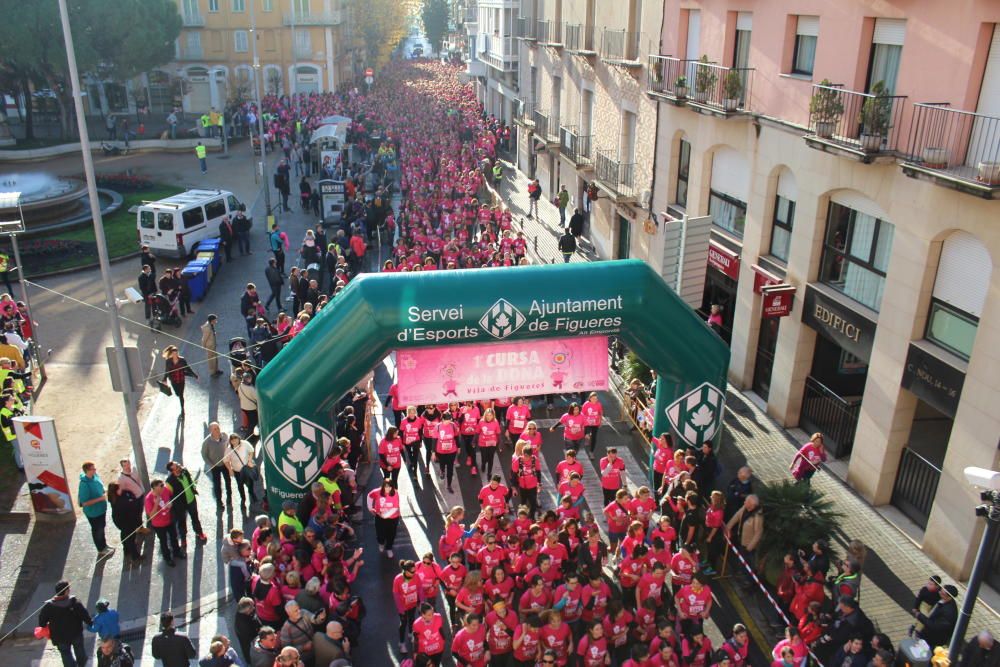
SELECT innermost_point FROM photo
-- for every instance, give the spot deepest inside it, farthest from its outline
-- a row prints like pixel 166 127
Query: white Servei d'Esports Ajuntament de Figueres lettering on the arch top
pixel 571 317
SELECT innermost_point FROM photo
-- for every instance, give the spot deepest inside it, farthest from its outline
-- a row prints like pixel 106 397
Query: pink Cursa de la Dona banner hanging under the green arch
pixel 474 372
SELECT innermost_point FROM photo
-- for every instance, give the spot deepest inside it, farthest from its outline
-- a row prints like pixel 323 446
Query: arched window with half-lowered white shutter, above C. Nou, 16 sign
pixel 960 288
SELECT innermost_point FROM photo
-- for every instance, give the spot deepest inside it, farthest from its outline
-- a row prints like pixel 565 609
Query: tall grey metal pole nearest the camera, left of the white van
pixel 102 253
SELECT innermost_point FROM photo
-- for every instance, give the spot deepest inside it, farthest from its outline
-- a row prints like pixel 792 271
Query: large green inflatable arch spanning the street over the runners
pixel 378 313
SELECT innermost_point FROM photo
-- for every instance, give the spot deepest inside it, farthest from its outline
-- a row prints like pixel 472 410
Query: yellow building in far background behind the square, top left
pixel 303 46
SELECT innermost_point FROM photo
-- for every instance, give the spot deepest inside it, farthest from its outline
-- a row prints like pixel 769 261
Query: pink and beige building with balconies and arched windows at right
pixel 847 161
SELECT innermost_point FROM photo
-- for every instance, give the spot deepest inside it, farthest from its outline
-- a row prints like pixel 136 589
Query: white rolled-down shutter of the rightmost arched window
pixel 963 277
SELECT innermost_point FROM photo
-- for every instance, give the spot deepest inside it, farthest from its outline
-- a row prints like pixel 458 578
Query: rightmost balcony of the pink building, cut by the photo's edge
pixel 955 149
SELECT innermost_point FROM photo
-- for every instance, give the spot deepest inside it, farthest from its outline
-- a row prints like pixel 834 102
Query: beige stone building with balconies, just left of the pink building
pixel 583 114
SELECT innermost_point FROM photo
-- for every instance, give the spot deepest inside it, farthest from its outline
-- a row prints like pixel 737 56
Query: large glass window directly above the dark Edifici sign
pixel 856 254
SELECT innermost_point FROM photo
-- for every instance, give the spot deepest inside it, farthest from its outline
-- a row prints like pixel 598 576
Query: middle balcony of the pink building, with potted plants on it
pixel 862 126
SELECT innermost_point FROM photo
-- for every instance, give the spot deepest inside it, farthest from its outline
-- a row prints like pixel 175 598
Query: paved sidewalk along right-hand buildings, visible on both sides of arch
pixel 895 568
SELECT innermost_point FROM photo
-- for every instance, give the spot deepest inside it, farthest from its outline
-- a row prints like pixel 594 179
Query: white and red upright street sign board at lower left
pixel 43 465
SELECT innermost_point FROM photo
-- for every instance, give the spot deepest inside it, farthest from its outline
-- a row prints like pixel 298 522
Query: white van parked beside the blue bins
pixel 174 226
